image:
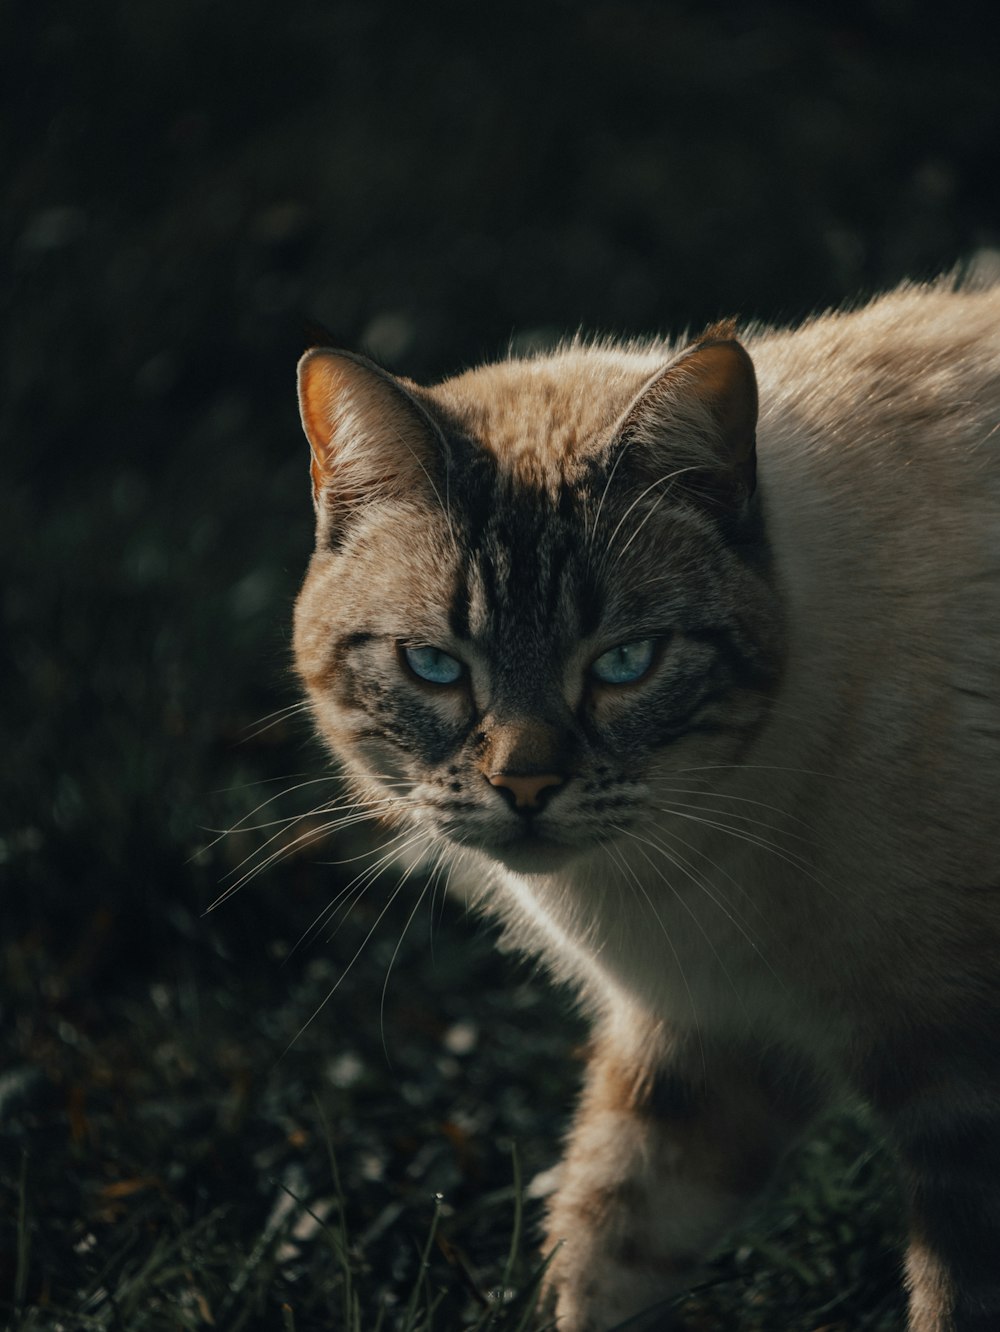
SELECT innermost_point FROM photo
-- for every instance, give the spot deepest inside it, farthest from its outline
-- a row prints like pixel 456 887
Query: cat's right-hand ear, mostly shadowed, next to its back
pixel 694 423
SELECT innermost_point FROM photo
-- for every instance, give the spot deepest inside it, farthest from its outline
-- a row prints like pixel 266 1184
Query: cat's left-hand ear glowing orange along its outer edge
pixel 370 438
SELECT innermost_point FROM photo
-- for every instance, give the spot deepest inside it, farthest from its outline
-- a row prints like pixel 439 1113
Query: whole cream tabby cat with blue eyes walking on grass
pixel 688 659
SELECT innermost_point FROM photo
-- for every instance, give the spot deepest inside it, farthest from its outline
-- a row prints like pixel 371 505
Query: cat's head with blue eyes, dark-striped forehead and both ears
pixel 540 591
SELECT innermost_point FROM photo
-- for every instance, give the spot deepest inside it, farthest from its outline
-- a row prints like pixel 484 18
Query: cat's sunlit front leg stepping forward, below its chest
pixel 668 1148
